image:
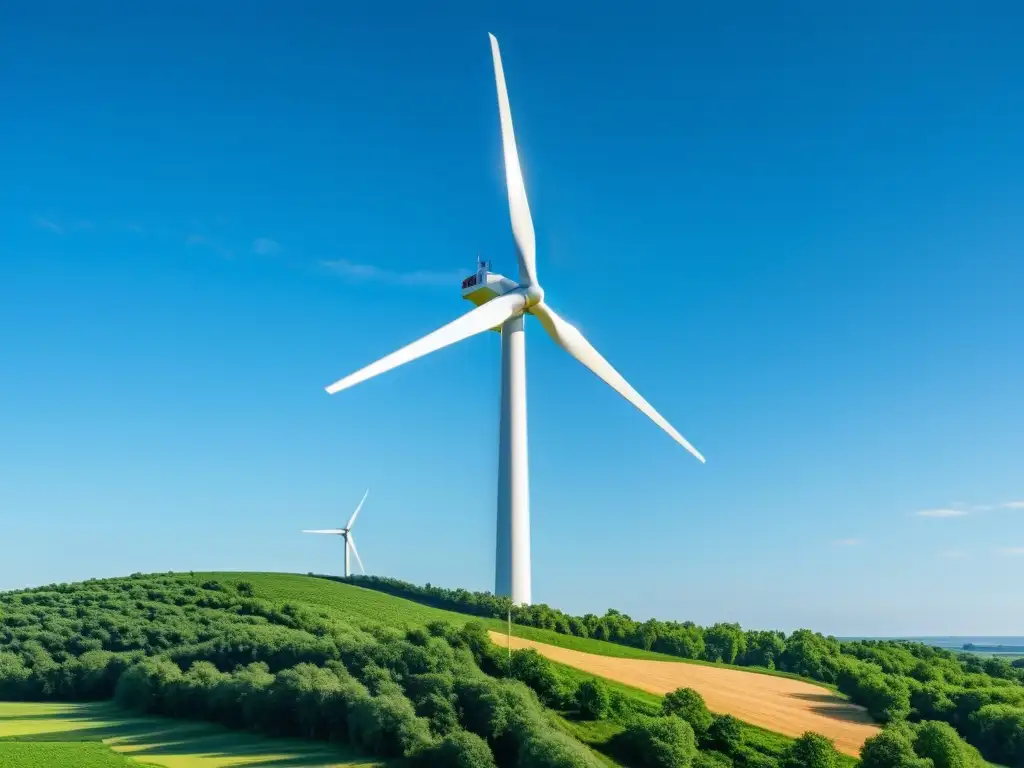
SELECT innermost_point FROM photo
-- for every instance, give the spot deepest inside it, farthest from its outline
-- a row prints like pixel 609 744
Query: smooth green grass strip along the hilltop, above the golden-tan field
pixel 348 601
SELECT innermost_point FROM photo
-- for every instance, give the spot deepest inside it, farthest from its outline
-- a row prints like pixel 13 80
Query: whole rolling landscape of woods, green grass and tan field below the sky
pixel 290 656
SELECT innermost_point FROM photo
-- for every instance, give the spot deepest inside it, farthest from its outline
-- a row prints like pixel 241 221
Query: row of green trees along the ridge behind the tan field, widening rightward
pixel 897 680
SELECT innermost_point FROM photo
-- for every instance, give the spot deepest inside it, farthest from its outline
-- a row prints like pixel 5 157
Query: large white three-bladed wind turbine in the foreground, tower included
pixel 502 304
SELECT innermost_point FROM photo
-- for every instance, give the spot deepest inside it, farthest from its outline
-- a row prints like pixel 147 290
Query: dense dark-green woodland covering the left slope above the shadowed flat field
pixel 178 647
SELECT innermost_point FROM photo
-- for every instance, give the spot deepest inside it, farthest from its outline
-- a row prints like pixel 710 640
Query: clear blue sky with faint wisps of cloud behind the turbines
pixel 797 233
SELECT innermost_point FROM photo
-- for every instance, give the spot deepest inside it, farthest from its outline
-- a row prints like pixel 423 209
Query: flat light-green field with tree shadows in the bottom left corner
pixel 100 736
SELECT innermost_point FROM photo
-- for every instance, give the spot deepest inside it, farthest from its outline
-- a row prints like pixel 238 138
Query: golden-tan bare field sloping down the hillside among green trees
pixel 778 704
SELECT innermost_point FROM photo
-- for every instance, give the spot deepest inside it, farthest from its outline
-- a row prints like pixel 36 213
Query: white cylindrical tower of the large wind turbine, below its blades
pixel 513 575
